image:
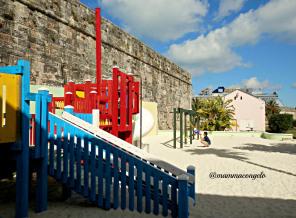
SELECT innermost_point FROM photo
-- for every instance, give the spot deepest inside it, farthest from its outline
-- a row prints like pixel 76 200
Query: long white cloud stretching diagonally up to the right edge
pixel 214 52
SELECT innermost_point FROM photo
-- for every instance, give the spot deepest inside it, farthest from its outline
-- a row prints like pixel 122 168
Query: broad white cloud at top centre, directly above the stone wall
pixel 158 19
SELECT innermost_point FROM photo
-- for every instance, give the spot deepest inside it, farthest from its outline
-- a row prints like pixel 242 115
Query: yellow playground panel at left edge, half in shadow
pixel 10 89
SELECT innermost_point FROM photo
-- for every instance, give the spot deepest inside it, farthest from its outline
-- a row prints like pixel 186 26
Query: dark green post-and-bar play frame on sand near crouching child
pixel 183 125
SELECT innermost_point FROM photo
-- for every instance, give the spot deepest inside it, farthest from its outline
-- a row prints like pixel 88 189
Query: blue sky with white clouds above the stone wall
pixel 231 43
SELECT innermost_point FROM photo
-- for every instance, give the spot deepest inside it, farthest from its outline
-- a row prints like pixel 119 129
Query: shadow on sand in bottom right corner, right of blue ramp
pixel 231 206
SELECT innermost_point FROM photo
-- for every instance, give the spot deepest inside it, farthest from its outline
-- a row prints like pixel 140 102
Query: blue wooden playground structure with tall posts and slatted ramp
pixel 97 165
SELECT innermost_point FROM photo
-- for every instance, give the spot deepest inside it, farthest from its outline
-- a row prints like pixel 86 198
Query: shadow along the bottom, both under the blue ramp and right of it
pixel 206 206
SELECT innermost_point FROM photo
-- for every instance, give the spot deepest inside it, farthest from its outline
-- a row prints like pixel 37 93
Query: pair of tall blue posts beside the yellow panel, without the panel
pixel 21 145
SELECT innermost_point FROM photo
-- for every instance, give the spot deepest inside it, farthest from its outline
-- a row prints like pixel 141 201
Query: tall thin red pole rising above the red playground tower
pixel 98 50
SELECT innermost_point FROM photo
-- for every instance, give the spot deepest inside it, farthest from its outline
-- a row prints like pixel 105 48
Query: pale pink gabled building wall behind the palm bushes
pixel 249 111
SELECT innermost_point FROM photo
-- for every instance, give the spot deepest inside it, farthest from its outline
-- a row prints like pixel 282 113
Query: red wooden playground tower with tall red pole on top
pixel 117 100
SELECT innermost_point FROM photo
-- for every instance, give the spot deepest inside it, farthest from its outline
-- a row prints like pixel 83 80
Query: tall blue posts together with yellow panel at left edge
pixel 15 100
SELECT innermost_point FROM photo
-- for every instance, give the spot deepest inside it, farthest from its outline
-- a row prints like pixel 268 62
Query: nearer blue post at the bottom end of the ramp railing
pixel 183 208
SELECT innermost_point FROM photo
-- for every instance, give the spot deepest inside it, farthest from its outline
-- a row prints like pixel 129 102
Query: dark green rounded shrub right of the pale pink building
pixel 280 122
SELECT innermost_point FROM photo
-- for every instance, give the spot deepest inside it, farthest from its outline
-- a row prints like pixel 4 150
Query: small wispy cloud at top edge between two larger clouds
pixel 226 7
